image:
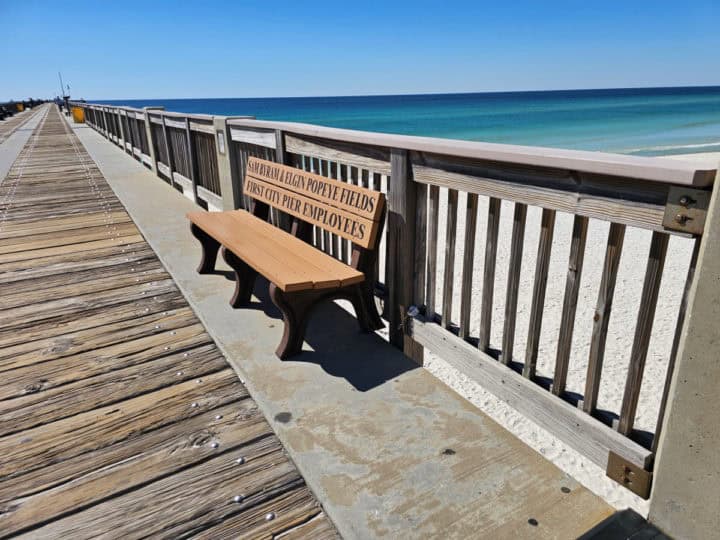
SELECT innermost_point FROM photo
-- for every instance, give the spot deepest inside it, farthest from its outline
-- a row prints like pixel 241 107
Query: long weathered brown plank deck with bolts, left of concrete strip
pixel 119 417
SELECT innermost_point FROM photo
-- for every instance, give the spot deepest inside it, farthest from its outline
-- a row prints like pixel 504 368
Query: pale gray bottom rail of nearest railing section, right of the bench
pixel 584 433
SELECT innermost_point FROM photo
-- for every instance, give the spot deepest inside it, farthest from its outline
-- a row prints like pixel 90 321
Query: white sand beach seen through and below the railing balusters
pixel 620 333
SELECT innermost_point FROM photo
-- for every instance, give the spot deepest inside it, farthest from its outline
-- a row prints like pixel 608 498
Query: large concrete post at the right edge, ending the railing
pixel 686 490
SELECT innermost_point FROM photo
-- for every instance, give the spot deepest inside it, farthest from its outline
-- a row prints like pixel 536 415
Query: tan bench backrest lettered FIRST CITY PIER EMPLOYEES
pixel 351 212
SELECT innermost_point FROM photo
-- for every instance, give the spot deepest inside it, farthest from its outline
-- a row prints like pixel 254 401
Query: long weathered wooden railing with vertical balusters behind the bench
pixel 445 201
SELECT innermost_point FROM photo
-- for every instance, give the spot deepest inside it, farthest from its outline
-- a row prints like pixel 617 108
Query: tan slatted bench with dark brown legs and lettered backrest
pixel 300 275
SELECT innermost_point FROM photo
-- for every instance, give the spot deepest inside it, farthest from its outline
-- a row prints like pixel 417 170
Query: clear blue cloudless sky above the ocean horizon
pixel 123 49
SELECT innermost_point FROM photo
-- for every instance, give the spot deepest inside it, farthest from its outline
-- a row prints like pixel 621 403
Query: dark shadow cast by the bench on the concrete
pixel 338 346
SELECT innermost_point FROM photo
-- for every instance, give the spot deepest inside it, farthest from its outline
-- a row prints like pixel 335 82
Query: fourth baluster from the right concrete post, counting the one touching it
pixel 567 319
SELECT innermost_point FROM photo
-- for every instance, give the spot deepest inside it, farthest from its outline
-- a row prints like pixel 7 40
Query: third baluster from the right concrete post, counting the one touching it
pixel 601 318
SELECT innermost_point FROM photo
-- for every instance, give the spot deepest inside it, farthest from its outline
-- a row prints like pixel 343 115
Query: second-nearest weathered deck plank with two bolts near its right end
pixel 189 501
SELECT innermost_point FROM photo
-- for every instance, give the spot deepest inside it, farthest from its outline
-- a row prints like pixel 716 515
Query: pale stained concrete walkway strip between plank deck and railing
pixel 389 450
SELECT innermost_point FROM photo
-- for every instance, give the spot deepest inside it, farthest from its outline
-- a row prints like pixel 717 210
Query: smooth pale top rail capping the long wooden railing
pixel 696 173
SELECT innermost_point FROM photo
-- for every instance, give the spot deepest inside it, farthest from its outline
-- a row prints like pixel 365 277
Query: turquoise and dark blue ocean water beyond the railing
pixel 644 121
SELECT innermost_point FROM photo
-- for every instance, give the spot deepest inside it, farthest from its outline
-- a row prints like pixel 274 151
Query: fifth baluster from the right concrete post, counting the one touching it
pixel 542 266
